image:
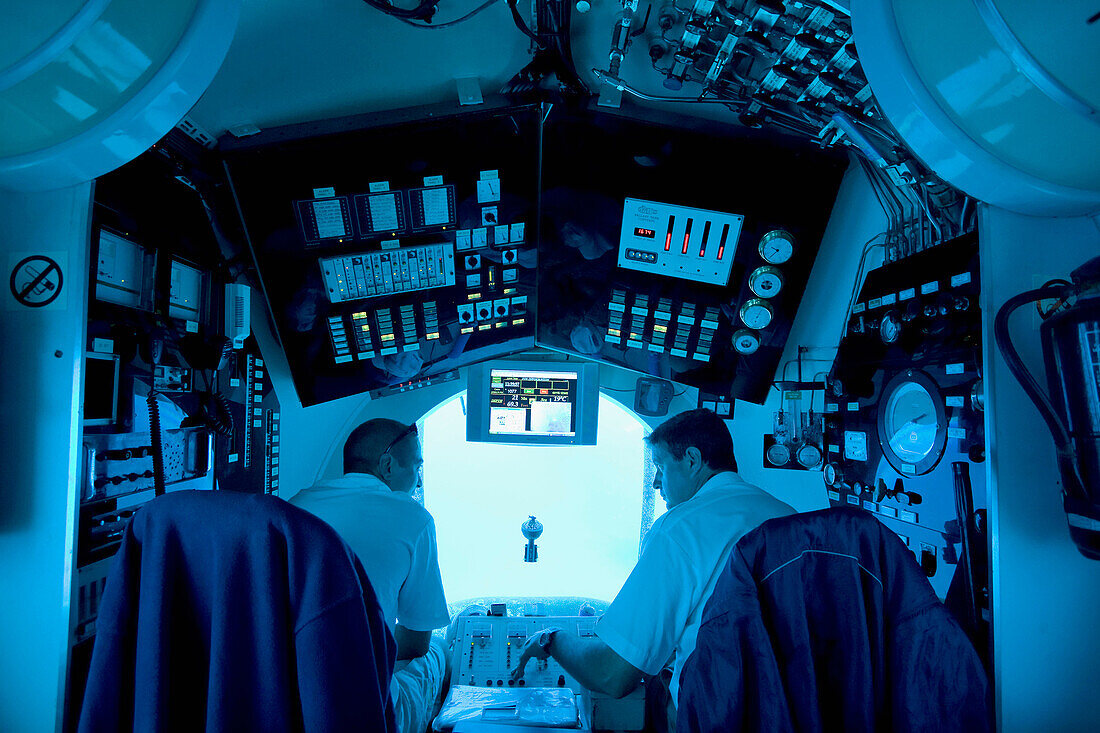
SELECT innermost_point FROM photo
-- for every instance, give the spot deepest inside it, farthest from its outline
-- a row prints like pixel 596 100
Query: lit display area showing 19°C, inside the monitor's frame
pixel 531 402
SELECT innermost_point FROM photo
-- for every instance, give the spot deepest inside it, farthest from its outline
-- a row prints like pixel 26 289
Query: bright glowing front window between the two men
pixel 595 502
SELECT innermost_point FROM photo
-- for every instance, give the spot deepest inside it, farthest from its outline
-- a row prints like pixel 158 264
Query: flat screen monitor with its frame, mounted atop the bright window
pixel 533 403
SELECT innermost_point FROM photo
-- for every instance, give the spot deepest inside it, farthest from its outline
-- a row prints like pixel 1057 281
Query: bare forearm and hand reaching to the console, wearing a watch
pixel 591 663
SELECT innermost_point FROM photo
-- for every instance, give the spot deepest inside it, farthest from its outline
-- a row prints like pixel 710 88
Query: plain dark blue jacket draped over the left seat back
pixel 237 612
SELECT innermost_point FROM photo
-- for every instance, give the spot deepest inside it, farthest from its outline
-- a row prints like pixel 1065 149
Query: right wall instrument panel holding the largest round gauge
pixel 904 409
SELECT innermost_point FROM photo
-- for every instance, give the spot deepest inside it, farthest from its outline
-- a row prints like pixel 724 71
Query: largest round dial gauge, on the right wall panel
pixel 912 423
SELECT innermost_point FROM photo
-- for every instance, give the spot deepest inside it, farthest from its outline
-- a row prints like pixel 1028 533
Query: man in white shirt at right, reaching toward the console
pixel 656 617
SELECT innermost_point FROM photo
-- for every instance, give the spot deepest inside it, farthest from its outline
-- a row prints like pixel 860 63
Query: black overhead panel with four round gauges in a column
pixel 650 266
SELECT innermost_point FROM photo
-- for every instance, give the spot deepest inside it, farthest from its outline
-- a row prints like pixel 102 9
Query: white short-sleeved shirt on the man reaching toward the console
pixel 656 616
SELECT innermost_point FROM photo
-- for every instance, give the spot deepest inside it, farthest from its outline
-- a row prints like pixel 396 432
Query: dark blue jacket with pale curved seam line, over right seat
pixel 826 622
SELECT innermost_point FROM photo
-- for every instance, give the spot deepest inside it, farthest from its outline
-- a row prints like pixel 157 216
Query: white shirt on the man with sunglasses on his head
pixel 394 539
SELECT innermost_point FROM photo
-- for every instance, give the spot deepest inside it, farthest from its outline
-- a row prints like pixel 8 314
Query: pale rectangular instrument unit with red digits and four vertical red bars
pixel 678 242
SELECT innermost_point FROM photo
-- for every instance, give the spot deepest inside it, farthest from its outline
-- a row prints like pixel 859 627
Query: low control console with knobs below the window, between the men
pixel 488 649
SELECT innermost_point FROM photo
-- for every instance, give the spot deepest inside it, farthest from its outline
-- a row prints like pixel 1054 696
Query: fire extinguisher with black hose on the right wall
pixel 1071 338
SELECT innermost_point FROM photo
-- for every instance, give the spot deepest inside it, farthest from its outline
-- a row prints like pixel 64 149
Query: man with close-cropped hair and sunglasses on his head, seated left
pixel 394 537
